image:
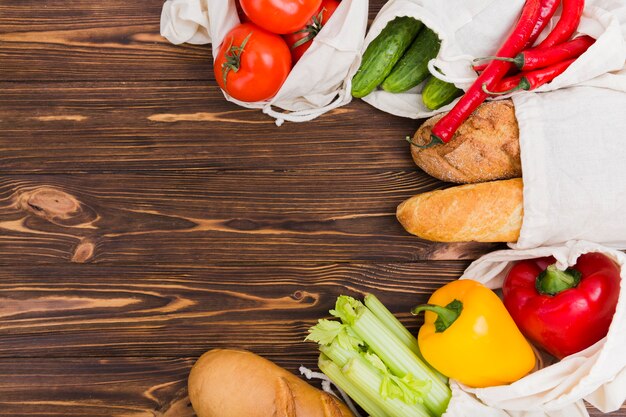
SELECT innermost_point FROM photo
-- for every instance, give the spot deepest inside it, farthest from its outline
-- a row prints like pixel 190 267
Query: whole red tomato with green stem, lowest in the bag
pixel 252 64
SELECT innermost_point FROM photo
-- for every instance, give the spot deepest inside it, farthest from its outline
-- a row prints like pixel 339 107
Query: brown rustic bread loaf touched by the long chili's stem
pixel 485 147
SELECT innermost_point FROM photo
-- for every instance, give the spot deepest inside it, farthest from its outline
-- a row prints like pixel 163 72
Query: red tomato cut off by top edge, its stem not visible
pixel 280 16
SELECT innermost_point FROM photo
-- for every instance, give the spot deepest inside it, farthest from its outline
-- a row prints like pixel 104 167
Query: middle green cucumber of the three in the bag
pixel 412 68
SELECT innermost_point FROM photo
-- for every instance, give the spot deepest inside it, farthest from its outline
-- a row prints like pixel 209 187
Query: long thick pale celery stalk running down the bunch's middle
pixel 399 358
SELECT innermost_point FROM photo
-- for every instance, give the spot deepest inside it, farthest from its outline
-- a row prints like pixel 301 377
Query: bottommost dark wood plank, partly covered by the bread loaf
pixel 110 387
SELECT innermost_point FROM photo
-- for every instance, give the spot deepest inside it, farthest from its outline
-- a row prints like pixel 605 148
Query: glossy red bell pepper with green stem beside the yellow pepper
pixel 563 312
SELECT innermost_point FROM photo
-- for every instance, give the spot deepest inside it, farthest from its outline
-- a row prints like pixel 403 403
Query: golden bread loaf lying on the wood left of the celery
pixel 238 383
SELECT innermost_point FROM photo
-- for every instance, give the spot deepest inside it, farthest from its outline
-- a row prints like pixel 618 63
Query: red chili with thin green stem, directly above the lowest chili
pixel 535 58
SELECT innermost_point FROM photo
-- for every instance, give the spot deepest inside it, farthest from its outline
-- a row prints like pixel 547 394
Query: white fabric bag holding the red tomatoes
pixel 318 83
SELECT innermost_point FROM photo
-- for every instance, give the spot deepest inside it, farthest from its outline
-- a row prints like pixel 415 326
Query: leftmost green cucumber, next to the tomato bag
pixel 382 54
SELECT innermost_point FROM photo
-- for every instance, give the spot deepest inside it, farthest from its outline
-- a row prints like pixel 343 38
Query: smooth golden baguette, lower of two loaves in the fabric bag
pixel 485 212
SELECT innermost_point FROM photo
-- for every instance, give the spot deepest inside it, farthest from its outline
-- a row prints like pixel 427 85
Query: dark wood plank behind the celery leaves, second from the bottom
pixel 89 310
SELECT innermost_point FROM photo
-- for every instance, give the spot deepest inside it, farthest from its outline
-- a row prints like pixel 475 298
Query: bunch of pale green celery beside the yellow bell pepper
pixel 362 337
